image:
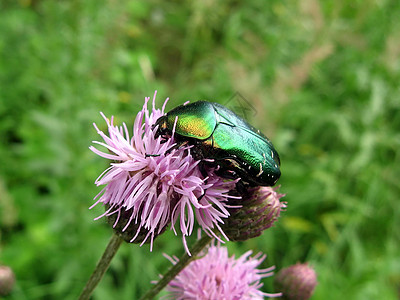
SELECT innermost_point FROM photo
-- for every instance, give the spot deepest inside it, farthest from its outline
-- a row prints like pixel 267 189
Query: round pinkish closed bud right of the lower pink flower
pixel 296 282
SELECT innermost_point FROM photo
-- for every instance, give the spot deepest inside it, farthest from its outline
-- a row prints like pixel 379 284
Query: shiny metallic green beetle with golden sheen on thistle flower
pixel 219 134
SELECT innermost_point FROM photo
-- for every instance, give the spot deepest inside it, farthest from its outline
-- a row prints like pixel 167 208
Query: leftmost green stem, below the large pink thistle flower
pixel 101 267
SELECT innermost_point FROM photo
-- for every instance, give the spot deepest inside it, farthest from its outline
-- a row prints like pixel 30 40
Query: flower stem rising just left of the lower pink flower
pixel 175 269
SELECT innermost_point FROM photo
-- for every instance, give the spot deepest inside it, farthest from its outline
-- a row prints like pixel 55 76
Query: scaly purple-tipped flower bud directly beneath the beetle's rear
pixel 260 208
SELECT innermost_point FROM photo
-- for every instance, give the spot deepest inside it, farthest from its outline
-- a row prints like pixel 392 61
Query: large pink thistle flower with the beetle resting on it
pixel 151 187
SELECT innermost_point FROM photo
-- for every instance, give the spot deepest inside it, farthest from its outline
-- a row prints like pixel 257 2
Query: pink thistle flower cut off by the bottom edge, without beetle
pixel 217 276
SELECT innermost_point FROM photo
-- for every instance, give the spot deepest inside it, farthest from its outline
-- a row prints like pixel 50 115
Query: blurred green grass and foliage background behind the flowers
pixel 323 77
